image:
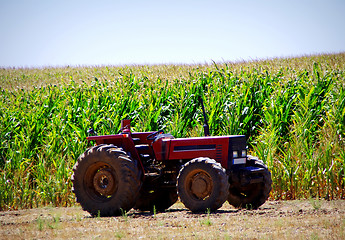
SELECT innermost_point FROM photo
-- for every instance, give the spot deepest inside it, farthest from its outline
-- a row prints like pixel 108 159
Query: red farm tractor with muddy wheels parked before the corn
pixel 150 170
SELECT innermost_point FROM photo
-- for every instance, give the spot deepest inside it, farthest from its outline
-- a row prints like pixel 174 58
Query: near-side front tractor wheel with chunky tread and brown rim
pixel 202 184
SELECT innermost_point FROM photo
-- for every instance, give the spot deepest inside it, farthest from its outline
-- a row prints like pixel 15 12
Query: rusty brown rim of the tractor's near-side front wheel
pixel 199 184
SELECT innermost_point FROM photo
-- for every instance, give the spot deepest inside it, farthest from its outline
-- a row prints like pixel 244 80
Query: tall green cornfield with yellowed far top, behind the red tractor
pixel 292 112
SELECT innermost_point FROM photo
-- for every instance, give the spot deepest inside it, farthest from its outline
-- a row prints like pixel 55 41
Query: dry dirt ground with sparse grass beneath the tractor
pixel 307 219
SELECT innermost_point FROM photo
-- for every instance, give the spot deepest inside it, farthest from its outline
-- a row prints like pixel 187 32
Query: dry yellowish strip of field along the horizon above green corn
pixel 28 78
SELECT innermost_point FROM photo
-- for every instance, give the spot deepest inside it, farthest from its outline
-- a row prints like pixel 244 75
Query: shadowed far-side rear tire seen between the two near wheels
pixel 159 199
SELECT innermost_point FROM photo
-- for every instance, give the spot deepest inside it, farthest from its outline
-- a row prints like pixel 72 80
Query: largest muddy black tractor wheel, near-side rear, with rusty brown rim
pixel 106 181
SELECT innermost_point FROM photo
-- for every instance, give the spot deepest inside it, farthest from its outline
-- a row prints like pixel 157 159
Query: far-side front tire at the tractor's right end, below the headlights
pixel 253 195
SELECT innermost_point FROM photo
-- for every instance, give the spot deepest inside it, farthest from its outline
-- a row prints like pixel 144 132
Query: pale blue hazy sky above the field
pixel 54 33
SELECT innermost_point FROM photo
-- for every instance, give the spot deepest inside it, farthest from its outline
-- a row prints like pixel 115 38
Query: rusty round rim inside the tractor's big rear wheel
pixel 100 181
